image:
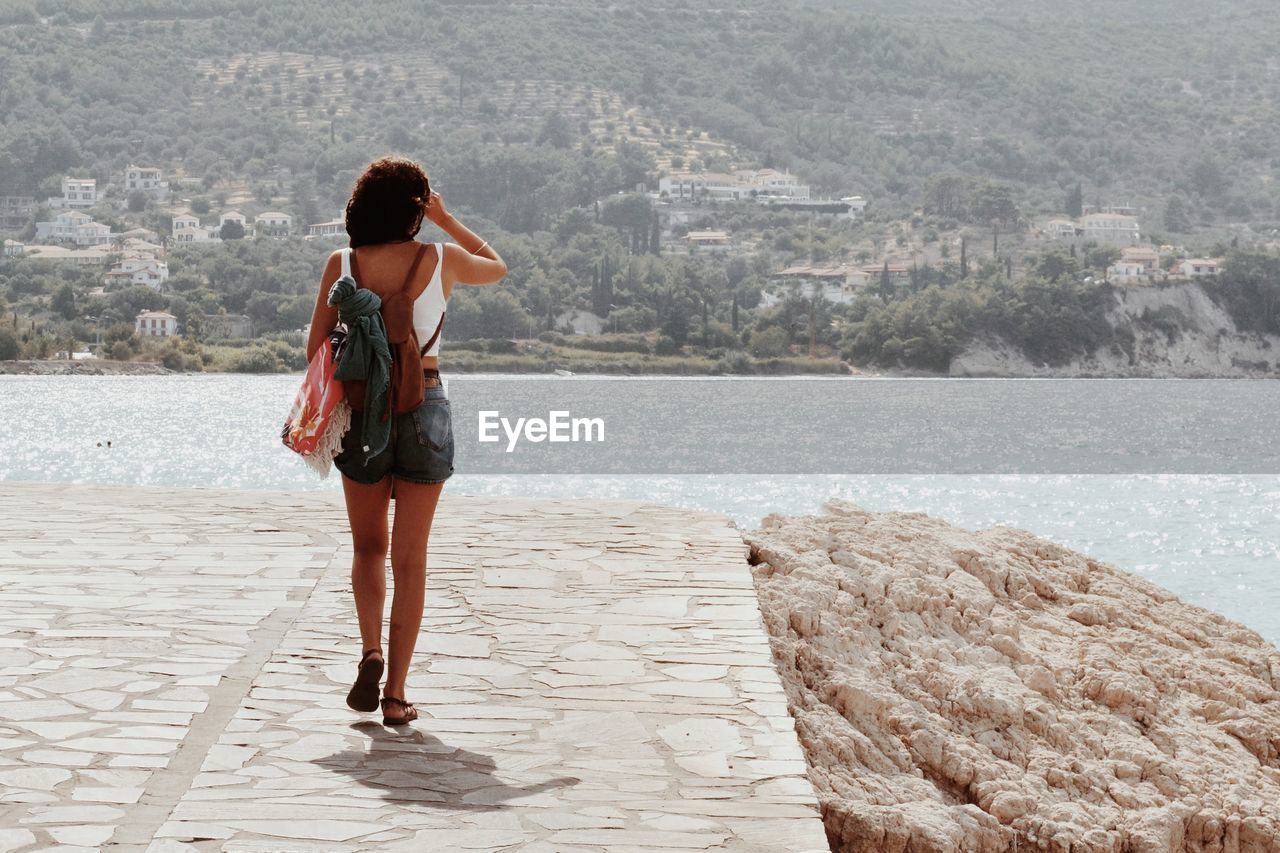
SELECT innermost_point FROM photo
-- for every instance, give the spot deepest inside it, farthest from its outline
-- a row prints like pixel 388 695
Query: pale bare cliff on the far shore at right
pixel 1163 331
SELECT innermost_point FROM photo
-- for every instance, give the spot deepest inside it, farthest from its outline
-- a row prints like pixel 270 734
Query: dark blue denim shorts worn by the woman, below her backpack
pixel 420 449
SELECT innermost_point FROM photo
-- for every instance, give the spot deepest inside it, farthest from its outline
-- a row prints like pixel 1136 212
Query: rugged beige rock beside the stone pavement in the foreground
pixel 993 691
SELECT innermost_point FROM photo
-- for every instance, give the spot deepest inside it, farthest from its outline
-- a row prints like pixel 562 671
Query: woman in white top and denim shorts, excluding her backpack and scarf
pixel 385 215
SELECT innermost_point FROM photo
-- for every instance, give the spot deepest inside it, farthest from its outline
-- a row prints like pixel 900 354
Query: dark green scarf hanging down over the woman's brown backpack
pixel 365 355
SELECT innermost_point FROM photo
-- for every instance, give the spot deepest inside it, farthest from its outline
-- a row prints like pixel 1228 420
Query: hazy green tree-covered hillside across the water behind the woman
pixel 964 125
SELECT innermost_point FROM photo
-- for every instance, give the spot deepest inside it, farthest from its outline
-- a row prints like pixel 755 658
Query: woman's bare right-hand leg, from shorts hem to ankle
pixel 415 510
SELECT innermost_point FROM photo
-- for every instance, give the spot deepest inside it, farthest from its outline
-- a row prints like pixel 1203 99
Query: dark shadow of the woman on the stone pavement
pixel 422 769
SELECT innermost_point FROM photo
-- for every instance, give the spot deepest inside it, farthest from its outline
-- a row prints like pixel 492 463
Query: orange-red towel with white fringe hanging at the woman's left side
pixel 321 414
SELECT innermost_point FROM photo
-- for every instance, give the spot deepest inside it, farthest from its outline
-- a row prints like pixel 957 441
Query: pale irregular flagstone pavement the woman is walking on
pixel 591 677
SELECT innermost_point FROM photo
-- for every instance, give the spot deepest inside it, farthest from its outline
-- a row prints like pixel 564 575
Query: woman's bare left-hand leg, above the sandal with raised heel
pixel 367 510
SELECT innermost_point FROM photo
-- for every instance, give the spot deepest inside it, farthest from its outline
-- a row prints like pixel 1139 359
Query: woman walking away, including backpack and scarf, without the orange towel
pixel 392 291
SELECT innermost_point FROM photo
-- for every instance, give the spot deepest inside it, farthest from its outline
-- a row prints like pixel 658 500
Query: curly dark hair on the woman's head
pixel 388 203
